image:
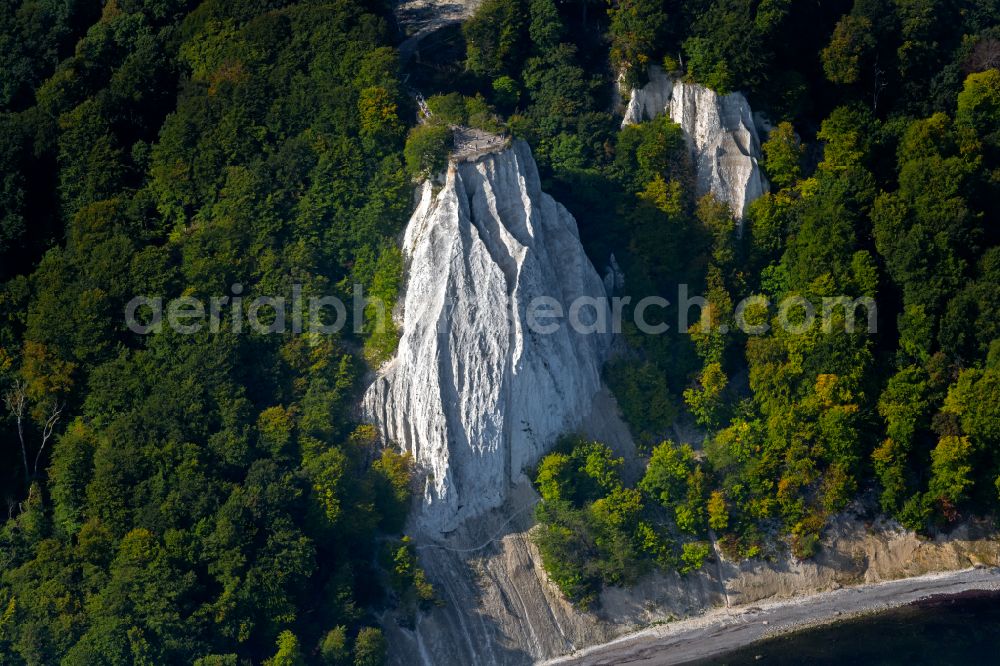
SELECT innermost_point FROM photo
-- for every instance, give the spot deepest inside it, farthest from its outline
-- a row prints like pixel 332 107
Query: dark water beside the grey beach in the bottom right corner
pixel 937 632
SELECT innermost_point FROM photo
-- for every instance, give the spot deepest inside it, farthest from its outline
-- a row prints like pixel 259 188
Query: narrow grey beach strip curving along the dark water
pixel 722 630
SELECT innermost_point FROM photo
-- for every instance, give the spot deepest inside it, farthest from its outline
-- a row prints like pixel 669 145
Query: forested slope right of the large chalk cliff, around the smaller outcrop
pixel 883 165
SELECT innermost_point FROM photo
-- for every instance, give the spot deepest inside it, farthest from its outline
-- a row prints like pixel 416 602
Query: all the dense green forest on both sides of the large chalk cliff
pixel 210 498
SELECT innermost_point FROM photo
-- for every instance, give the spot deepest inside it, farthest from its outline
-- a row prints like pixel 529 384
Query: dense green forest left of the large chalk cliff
pixel 182 497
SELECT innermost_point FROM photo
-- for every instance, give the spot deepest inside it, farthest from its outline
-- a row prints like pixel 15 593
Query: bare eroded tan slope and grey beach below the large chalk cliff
pixel 499 608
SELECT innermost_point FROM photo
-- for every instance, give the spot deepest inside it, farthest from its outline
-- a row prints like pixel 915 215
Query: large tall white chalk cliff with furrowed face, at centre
pixel 475 393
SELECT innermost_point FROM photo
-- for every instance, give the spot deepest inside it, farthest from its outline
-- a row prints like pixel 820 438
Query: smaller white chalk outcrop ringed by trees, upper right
pixel 720 131
